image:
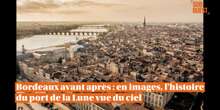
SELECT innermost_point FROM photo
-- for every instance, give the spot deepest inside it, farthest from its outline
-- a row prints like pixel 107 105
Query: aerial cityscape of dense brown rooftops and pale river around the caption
pixel 139 51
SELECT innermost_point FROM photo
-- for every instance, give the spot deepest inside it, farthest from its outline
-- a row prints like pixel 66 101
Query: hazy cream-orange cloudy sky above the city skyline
pixel 107 10
